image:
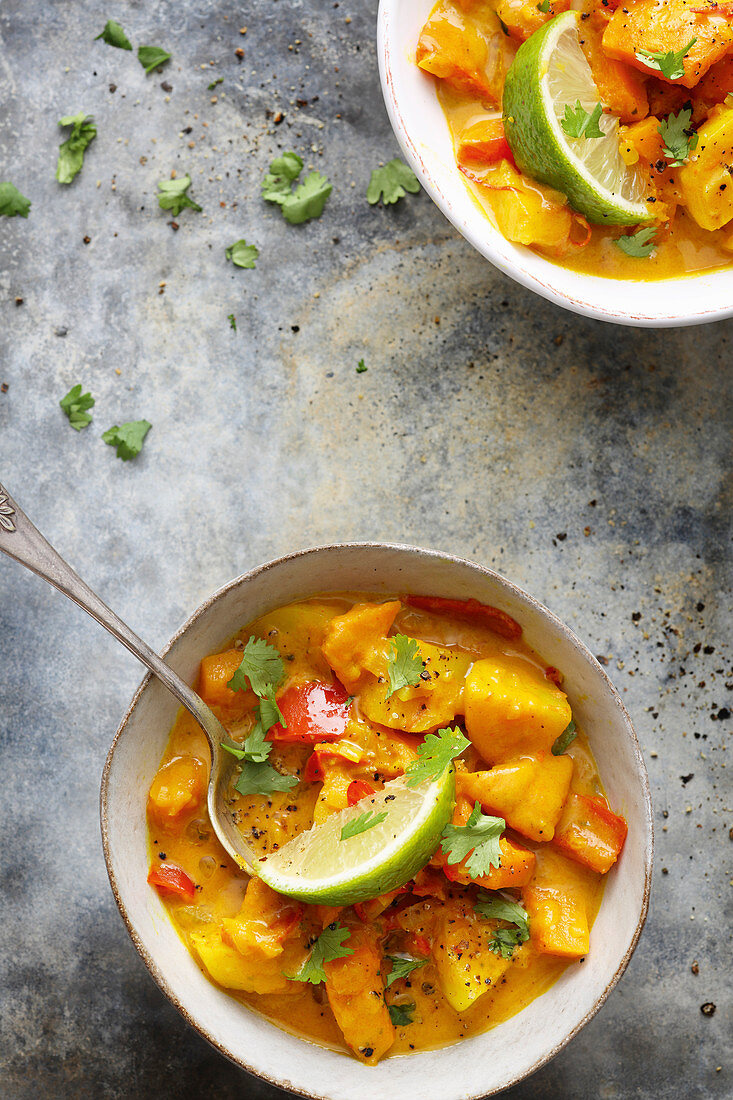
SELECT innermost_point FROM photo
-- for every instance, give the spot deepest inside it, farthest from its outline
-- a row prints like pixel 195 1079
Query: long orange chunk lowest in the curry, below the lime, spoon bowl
pixel 356 994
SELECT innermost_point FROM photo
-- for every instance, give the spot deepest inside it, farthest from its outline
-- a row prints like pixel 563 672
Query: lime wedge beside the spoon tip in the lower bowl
pixel 319 866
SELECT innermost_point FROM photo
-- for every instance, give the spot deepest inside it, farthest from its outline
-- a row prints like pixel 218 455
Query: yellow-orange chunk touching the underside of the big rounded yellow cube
pixel 529 793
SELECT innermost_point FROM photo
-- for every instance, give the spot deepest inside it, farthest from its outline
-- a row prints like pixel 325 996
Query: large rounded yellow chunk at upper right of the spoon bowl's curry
pixel 511 708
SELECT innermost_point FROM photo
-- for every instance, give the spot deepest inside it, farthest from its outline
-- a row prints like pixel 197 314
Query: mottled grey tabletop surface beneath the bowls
pixel 586 463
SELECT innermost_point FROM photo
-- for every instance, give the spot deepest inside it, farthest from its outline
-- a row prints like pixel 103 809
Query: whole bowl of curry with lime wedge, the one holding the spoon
pixel 448 817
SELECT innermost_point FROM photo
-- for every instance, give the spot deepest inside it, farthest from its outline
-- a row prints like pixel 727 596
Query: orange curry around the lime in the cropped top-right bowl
pixel 663 70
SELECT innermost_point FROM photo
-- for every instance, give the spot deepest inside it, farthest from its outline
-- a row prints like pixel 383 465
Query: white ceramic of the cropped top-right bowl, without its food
pixel 422 130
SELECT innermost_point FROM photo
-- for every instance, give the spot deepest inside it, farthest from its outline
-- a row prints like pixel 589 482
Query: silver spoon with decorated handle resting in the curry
pixel 24 543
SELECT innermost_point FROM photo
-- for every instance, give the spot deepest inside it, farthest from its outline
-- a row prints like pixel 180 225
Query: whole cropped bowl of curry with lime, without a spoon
pixel 585 149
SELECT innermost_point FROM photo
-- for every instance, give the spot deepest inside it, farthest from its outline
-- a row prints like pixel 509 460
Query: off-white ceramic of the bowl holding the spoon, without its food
pixel 476 1068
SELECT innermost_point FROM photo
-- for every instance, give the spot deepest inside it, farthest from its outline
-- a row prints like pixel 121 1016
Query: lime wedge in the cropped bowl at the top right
pixel 549 74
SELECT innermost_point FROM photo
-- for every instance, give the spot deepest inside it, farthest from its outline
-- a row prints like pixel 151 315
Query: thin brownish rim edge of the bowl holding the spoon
pixel 570 635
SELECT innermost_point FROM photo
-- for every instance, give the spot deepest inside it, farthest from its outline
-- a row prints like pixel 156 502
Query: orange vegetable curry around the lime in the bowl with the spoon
pixel 462 945
